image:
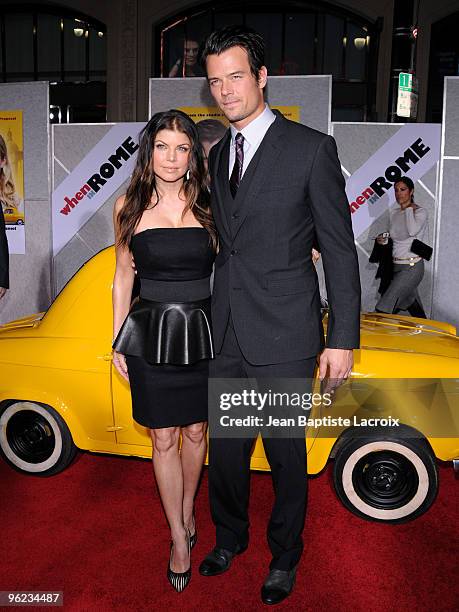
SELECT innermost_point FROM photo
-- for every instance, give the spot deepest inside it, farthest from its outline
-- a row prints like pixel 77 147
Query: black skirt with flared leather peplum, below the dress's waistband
pixel 167 346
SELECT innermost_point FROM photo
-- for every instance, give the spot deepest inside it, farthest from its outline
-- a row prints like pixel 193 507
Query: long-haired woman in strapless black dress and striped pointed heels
pixel 163 341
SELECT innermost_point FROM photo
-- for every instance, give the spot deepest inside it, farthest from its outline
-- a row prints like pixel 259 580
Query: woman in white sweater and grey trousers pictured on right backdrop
pixel 407 222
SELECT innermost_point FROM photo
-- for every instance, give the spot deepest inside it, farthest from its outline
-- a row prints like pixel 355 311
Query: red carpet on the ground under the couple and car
pixel 97 532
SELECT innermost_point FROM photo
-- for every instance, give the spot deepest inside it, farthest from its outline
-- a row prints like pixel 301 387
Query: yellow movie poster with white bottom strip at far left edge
pixel 12 178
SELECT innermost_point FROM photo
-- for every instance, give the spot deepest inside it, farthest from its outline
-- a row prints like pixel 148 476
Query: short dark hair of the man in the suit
pixel 236 36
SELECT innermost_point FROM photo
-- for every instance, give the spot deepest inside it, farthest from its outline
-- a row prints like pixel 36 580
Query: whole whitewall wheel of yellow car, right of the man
pixel 383 478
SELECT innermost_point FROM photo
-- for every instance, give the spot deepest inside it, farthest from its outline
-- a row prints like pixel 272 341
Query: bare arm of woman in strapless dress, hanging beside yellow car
pixel 123 282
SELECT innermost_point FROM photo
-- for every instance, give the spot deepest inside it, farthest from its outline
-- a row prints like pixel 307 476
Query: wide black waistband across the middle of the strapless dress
pixel 175 291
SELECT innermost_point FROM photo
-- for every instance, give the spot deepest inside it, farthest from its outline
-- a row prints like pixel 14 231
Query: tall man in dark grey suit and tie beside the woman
pixel 276 185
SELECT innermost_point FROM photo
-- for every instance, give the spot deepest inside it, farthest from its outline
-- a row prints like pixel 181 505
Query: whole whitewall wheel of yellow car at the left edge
pixel 35 439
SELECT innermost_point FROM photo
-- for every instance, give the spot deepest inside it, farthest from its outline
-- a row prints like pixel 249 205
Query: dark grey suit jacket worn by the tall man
pixel 292 191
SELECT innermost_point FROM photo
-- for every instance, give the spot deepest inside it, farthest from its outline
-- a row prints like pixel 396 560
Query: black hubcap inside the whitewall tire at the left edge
pixel 30 436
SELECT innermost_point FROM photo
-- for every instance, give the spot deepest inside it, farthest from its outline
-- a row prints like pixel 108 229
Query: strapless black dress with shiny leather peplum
pixel 166 336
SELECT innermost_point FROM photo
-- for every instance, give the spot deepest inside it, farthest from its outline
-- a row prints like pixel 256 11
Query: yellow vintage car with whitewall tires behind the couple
pixel 59 392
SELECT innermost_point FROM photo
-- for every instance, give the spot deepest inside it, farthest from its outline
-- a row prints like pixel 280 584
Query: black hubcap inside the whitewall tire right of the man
pixel 385 480
